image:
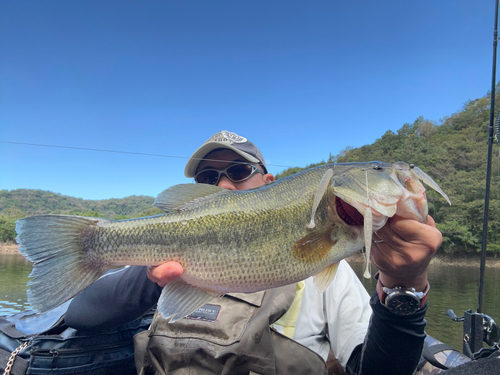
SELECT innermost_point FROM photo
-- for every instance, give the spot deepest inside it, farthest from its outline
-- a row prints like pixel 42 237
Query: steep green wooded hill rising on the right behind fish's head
pixel 454 154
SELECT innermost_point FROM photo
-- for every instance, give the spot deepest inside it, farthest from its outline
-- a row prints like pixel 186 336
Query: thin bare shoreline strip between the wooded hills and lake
pixel 461 260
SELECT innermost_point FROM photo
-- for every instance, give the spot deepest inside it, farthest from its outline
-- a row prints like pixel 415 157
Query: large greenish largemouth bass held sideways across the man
pixel 227 241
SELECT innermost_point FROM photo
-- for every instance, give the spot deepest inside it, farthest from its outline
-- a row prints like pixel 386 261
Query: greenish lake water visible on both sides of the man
pixel 451 287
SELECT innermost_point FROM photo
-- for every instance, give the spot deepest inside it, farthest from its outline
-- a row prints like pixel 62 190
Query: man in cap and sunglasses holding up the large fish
pixel 337 320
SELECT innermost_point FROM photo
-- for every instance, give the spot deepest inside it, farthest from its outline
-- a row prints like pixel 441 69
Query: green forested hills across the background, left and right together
pixel 453 152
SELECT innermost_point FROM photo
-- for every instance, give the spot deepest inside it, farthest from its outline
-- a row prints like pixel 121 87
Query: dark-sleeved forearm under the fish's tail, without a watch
pixel 113 300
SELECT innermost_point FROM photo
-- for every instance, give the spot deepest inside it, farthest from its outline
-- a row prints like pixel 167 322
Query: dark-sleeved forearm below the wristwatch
pixel 393 344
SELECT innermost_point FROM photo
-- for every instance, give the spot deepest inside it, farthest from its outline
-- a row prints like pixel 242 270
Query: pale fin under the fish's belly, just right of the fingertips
pixel 179 299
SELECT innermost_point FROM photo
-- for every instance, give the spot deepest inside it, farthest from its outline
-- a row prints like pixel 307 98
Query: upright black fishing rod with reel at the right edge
pixel 479 327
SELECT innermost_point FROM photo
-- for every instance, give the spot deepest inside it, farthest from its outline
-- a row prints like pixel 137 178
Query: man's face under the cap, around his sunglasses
pixel 223 159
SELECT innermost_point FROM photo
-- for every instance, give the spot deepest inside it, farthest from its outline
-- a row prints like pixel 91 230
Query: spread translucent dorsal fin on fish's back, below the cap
pixel 180 197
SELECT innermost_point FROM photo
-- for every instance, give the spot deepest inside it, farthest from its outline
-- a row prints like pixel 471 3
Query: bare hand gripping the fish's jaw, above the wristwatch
pixel 402 250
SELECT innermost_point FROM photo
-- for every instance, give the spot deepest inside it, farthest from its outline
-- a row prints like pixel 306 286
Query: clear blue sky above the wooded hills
pixel 301 79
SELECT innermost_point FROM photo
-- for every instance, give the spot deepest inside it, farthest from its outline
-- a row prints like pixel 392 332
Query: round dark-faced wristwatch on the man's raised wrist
pixel 399 300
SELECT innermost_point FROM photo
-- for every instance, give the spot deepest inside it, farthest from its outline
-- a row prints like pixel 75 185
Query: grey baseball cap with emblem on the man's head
pixel 229 140
